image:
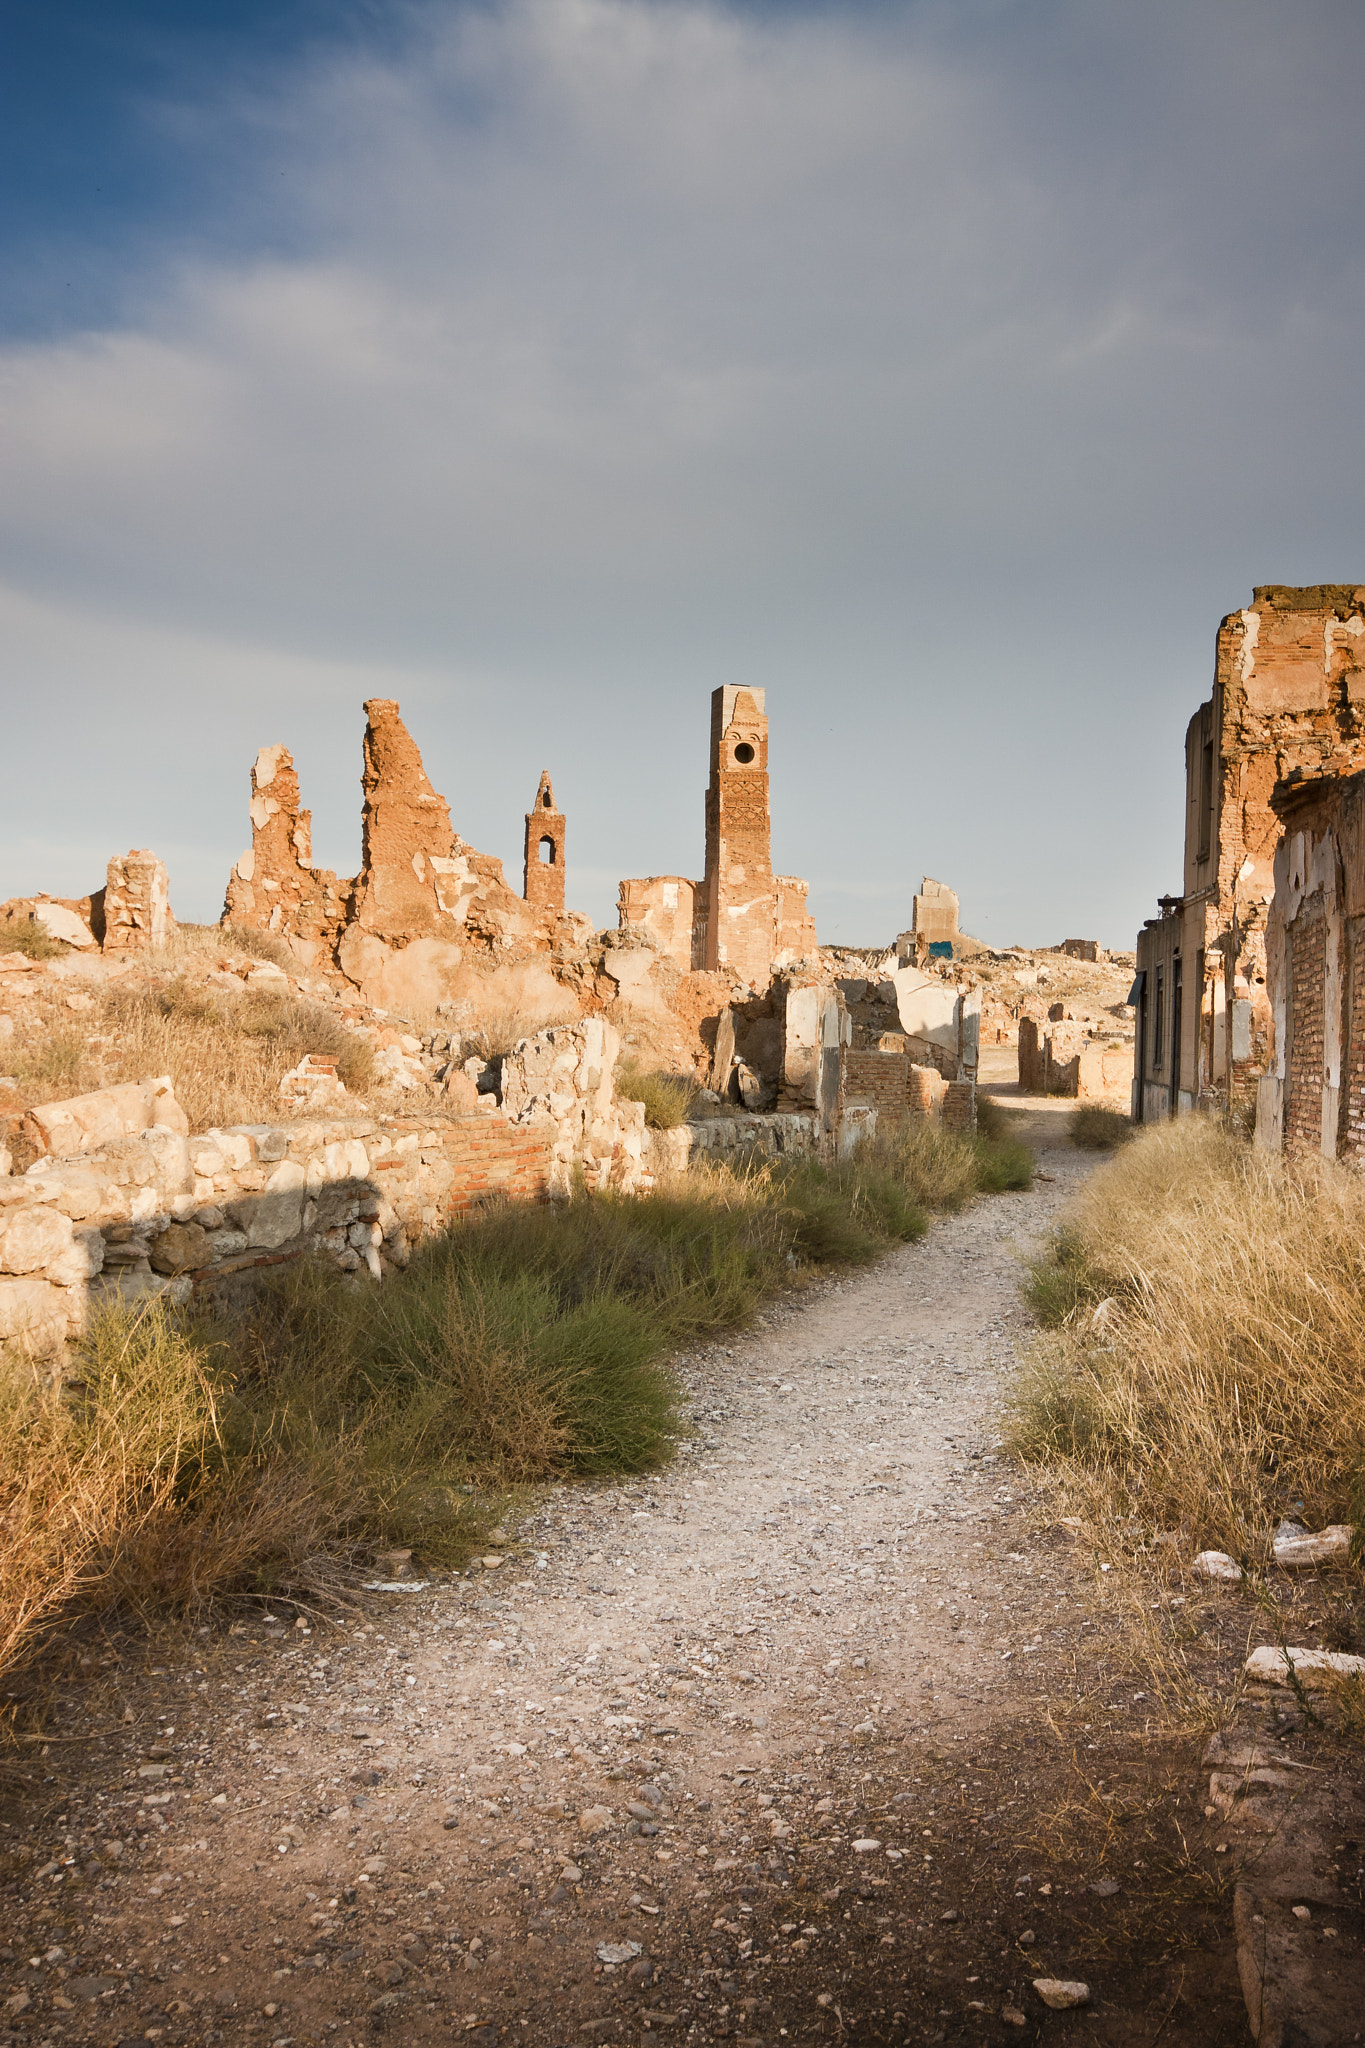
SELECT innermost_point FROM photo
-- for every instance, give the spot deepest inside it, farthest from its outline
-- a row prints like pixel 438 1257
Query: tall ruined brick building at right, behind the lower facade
pixel 1288 701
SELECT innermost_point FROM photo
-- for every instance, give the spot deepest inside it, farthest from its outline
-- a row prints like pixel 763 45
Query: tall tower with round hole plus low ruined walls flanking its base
pixel 740 919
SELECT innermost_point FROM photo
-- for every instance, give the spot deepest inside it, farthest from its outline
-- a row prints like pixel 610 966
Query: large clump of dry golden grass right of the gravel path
pixel 1223 1381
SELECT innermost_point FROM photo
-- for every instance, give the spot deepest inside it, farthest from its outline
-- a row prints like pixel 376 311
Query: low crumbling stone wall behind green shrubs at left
pixel 128 1211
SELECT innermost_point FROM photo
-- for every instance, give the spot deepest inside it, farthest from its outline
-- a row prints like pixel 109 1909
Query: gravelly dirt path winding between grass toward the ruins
pixel 824 1734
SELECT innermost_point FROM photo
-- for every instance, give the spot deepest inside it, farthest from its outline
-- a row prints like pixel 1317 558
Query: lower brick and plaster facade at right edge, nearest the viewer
pixel 1313 1099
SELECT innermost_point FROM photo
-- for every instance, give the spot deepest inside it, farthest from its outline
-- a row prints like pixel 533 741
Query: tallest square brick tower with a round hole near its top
pixel 740 890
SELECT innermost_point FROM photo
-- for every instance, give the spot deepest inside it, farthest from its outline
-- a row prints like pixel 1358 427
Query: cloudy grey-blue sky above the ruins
pixel 946 370
